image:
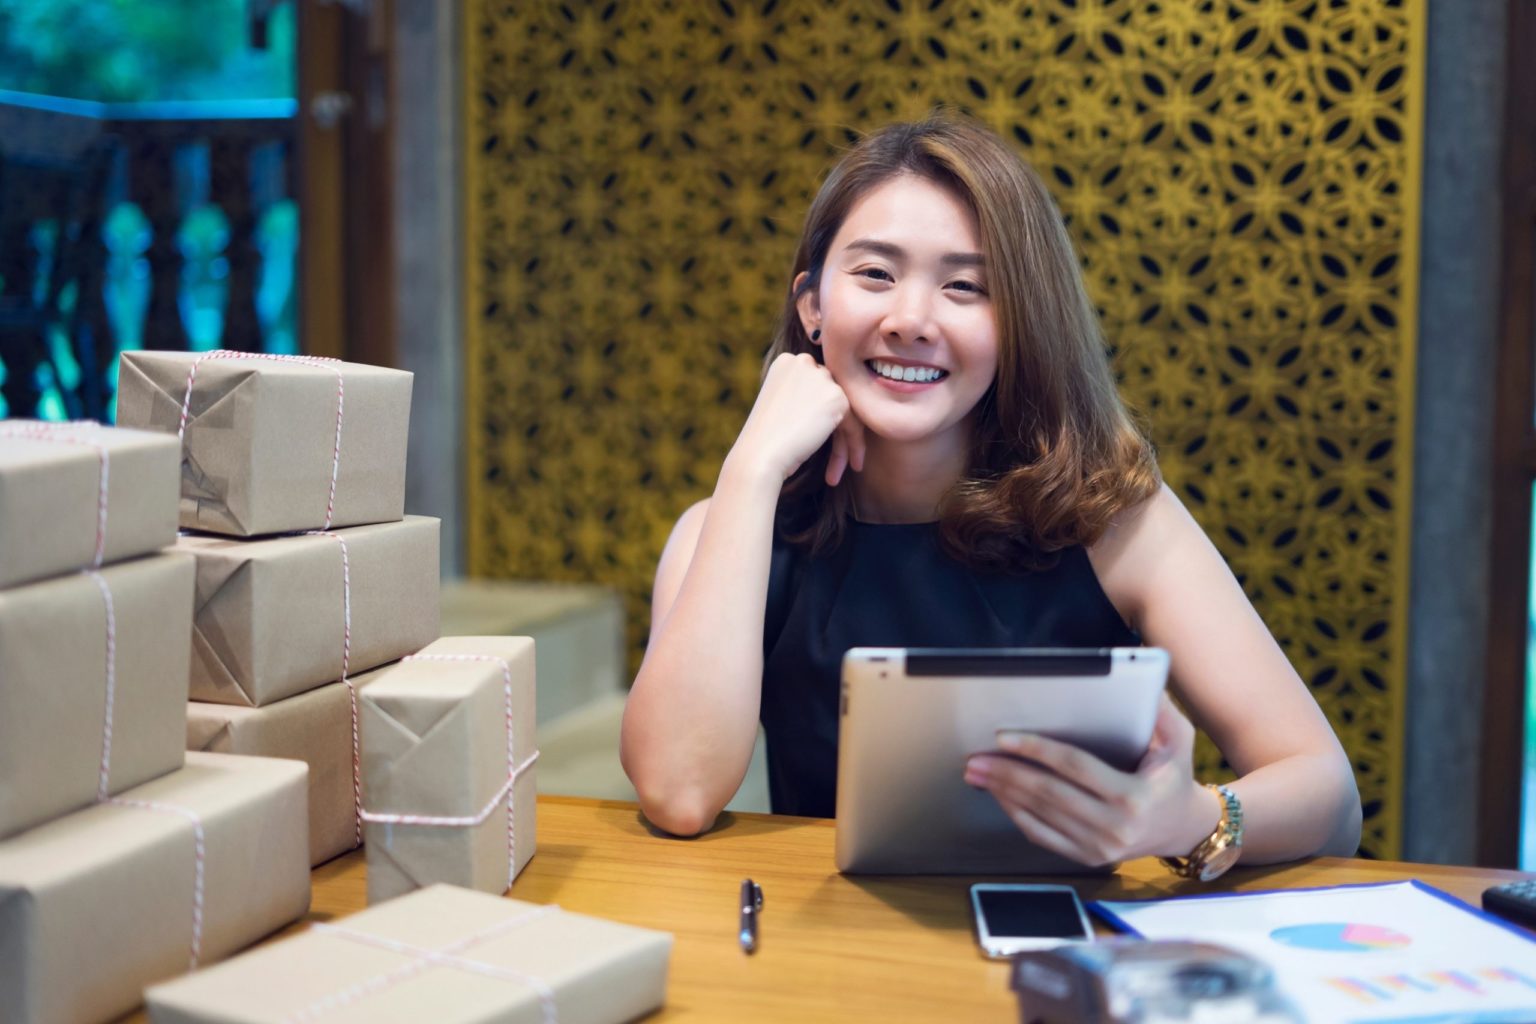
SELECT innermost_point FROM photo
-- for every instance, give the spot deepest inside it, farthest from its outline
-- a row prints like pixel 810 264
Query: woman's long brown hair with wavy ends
pixel 1054 454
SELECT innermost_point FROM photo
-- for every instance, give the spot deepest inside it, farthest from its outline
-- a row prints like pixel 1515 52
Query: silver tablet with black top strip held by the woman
pixel 913 716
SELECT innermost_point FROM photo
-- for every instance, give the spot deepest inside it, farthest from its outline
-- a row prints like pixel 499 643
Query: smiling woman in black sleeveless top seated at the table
pixel 939 457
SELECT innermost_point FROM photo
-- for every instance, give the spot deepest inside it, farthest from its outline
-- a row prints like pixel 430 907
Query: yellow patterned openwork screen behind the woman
pixel 1240 177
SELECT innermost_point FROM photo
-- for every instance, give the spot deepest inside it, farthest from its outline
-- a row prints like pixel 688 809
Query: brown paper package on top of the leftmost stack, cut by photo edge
pixel 51 498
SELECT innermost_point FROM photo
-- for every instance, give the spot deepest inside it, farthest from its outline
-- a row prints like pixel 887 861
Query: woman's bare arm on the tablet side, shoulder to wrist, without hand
pixel 1294 779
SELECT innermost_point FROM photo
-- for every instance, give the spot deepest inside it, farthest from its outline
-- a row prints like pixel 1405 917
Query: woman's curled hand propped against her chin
pixel 798 409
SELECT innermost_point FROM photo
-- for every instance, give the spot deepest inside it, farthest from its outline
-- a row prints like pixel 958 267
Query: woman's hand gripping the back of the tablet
pixel 1067 801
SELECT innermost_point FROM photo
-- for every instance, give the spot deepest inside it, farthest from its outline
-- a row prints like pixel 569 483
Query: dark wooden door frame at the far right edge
pixel 1500 804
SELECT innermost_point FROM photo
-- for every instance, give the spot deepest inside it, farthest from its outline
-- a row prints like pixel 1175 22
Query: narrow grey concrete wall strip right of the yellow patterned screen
pixel 1458 326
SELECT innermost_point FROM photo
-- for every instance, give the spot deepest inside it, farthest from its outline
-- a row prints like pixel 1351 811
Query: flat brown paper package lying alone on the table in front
pixel 598 973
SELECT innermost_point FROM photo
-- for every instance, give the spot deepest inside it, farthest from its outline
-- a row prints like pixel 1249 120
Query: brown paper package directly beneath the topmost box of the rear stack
pixel 271 615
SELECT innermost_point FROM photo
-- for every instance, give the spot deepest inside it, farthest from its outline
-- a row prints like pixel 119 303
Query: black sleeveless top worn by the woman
pixel 893 586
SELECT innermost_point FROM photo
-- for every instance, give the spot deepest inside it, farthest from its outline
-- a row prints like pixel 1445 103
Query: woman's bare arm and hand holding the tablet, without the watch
pixel 1297 790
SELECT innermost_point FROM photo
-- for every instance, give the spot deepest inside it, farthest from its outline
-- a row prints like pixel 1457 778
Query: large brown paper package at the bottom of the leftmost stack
pixel 101 903
